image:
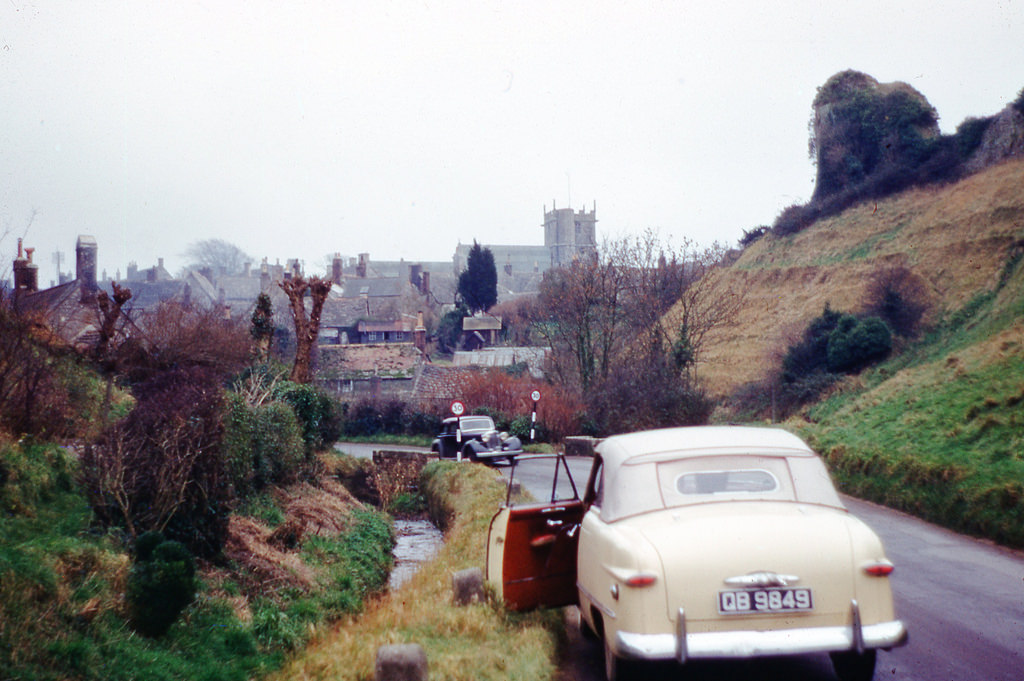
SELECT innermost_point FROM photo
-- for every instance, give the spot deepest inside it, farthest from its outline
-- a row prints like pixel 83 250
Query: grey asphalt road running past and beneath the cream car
pixel 962 601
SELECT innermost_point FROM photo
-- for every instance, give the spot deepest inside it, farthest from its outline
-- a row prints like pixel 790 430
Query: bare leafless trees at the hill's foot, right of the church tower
pixel 627 327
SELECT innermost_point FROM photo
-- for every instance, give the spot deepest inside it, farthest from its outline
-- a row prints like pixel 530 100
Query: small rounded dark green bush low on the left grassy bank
pixel 162 584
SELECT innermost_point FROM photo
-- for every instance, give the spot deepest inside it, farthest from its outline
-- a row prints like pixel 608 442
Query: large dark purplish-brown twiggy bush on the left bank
pixel 160 469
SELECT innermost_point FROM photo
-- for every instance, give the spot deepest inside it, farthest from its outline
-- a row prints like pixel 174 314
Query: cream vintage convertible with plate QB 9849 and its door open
pixel 710 542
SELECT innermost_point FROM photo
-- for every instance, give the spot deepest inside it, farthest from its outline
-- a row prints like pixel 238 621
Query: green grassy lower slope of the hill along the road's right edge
pixel 938 431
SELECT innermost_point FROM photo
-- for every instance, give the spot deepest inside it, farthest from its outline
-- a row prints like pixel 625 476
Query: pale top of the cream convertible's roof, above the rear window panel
pixel 700 441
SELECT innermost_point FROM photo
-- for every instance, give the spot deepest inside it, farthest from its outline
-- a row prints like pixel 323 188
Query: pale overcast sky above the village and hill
pixel 300 130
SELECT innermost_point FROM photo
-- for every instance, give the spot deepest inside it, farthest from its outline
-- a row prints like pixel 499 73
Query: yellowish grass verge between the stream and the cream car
pixel 477 643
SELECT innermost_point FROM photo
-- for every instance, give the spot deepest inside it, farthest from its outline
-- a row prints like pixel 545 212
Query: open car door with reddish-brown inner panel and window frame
pixel 532 546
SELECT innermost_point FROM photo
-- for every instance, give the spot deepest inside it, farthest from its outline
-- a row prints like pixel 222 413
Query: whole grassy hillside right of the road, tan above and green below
pixel 938 430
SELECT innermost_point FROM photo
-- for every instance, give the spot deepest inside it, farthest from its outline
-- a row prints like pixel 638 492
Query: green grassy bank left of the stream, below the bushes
pixel 62 585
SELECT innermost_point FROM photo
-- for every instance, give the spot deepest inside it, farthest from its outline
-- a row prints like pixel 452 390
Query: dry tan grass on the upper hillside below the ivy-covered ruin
pixel 957 239
